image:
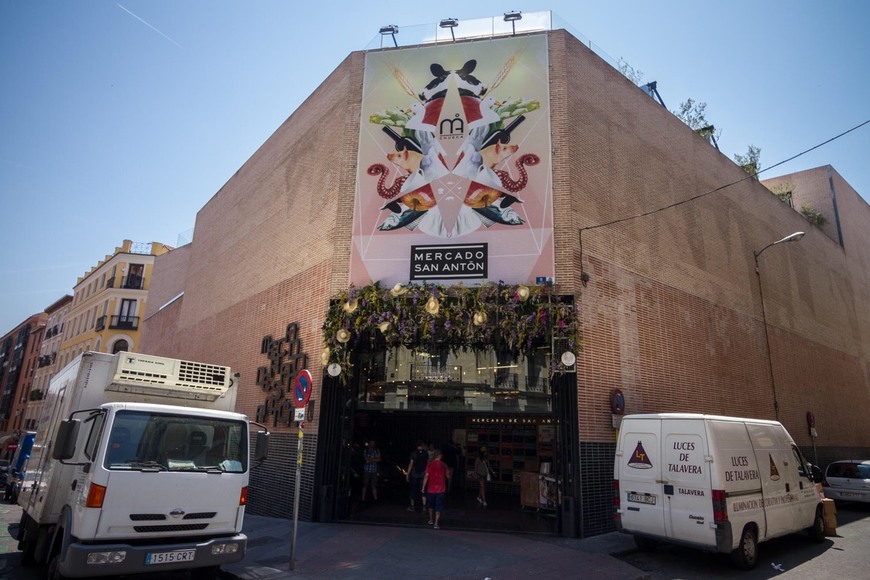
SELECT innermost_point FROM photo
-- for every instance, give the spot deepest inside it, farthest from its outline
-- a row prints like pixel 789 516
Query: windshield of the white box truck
pixel 145 441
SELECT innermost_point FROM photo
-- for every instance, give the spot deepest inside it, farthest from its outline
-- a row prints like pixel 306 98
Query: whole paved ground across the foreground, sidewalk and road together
pixel 365 551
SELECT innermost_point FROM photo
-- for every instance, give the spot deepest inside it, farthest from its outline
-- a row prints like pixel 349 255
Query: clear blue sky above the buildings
pixel 120 120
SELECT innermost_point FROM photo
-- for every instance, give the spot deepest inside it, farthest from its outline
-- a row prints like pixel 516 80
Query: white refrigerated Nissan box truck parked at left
pixel 138 465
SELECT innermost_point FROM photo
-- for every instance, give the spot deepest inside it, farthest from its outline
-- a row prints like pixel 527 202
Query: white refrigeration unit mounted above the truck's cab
pixel 153 375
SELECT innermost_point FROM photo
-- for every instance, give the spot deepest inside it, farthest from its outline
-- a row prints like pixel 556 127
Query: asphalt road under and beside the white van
pixel 794 557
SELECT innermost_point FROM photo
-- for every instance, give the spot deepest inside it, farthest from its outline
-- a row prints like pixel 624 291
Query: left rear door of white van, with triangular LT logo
pixel 639 471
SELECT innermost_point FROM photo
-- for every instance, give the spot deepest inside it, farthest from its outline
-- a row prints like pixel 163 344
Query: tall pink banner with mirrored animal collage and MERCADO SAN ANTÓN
pixel 454 165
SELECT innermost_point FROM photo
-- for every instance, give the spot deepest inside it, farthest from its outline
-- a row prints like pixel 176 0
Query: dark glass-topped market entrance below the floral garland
pixel 459 402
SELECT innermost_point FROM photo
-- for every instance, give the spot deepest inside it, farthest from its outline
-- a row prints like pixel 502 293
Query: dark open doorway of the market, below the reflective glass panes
pixel 521 495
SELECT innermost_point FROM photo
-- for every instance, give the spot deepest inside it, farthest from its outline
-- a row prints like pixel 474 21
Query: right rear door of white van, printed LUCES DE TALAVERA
pixel 686 488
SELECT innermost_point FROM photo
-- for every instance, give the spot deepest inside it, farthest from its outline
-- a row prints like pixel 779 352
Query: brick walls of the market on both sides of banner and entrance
pixel 671 313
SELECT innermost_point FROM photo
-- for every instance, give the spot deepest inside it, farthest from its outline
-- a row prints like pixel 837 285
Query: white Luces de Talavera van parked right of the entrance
pixel 721 484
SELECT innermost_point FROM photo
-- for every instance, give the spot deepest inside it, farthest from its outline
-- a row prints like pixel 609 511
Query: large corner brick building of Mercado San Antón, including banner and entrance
pixel 635 220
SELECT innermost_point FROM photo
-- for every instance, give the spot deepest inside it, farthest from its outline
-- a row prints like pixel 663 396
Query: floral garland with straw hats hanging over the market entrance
pixel 515 318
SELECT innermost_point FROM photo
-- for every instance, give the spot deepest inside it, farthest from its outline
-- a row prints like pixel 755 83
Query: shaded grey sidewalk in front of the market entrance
pixel 379 551
